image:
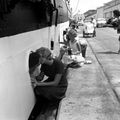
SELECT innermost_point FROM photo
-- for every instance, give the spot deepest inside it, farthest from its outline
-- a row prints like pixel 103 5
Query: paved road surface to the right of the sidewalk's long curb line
pixel 105 49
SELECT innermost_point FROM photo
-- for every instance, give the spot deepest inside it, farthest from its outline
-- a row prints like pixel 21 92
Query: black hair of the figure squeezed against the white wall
pixel 33 61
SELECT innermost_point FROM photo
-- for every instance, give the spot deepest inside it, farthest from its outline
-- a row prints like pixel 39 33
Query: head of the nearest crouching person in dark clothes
pixel 44 53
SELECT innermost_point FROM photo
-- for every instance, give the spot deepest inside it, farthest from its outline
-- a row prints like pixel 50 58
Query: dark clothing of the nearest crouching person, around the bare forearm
pixel 53 92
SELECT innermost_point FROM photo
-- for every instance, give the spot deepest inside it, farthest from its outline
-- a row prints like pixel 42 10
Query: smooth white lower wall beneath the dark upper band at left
pixel 16 94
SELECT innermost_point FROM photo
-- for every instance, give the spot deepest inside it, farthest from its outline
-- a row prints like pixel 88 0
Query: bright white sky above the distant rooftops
pixel 84 5
